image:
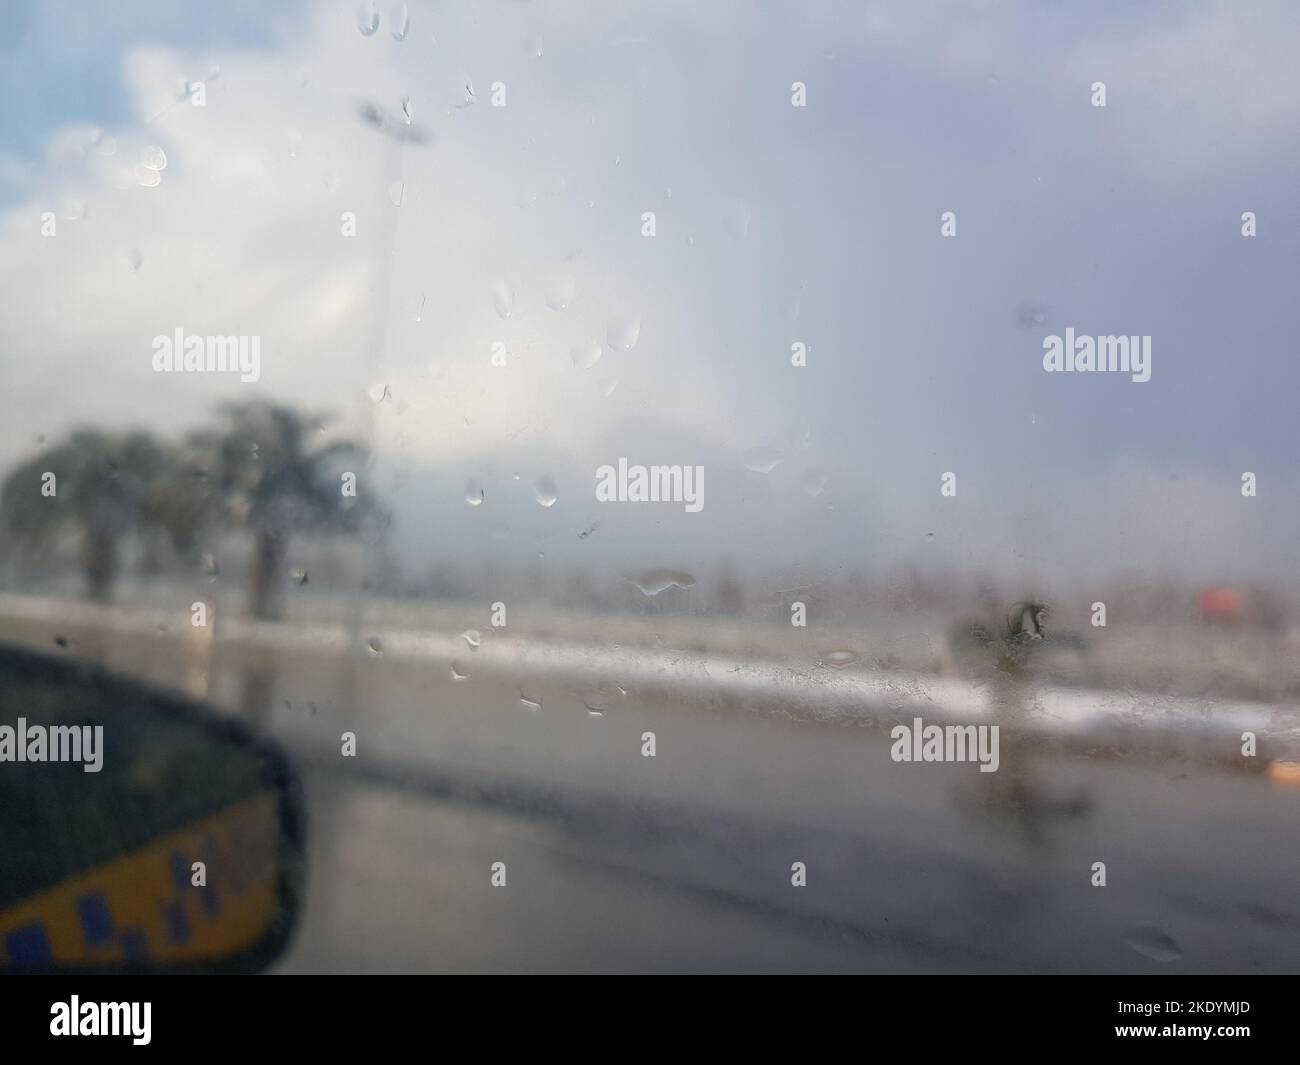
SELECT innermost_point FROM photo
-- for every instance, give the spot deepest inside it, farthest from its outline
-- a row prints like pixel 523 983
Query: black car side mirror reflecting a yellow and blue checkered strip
pixel 138 832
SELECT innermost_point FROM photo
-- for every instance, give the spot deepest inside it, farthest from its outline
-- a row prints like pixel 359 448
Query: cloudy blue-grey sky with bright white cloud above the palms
pixel 774 226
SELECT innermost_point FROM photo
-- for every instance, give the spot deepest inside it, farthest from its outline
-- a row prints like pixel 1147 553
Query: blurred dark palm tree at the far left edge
pixel 102 487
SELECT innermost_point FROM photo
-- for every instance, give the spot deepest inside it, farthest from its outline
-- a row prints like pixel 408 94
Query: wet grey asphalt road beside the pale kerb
pixel 683 863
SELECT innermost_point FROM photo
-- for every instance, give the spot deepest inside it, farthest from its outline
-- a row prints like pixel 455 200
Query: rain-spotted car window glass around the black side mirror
pixel 690 488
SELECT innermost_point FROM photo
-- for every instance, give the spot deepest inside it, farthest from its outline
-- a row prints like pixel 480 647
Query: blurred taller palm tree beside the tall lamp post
pixel 274 479
